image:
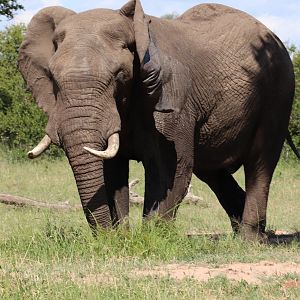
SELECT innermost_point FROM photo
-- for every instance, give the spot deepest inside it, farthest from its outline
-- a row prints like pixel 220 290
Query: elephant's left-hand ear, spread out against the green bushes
pixel 35 53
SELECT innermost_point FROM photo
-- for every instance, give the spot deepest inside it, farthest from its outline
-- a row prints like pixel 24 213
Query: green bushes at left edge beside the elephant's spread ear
pixel 21 121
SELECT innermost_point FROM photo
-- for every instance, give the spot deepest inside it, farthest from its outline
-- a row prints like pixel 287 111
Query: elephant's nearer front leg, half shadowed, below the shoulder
pixel 166 184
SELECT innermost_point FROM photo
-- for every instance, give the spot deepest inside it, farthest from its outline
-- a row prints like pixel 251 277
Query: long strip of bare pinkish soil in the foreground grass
pixel 250 272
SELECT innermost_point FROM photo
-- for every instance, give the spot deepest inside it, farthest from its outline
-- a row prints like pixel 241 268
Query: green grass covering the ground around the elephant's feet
pixel 46 254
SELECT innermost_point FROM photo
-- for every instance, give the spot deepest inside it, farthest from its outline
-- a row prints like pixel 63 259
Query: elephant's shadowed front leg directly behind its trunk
pixel 116 182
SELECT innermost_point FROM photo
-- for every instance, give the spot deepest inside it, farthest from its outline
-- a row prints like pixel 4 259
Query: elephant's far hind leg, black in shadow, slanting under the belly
pixel 230 195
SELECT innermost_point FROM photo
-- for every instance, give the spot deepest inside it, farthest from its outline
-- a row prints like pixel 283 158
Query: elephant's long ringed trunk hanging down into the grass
pixel 89 119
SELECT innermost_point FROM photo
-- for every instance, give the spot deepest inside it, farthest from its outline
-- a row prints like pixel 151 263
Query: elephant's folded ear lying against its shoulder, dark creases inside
pixel 161 74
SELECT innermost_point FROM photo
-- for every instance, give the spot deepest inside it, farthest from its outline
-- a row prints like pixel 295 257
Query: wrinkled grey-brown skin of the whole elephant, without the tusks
pixel 205 93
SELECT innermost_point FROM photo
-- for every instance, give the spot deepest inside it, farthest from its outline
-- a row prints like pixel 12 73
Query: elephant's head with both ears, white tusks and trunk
pixel 80 69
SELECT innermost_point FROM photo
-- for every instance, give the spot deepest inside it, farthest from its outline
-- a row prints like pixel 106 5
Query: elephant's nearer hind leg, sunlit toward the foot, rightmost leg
pixel 259 168
